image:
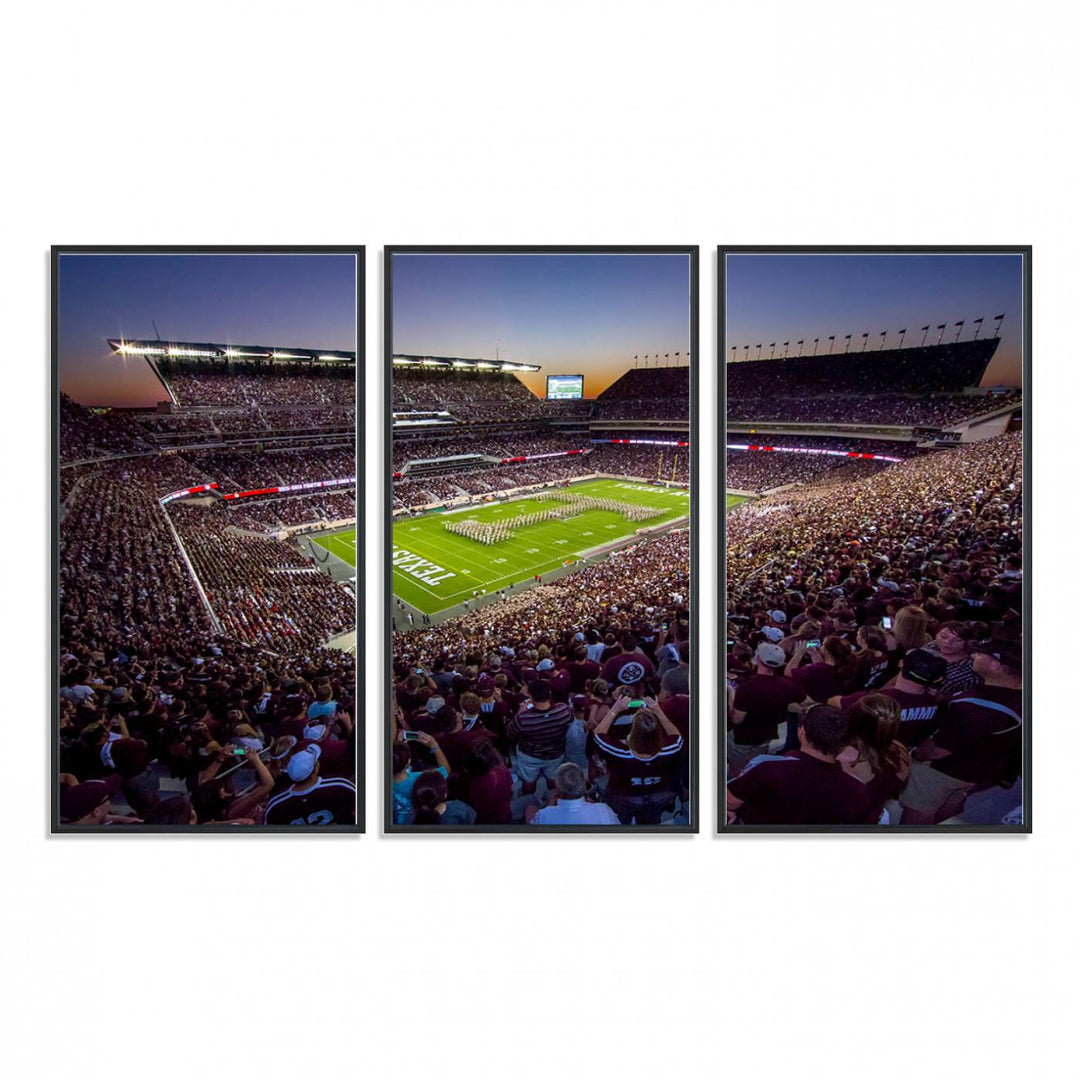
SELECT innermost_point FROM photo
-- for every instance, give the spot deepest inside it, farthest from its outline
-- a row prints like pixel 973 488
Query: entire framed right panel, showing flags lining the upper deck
pixel 875 558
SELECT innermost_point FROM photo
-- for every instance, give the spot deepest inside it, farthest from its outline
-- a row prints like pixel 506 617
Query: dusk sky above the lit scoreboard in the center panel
pixel 580 315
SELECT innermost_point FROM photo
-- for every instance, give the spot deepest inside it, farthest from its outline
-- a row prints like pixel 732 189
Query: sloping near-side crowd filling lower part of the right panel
pixel 875 653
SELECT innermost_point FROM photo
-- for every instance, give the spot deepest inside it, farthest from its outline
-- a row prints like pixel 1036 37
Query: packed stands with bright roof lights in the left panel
pixel 207 645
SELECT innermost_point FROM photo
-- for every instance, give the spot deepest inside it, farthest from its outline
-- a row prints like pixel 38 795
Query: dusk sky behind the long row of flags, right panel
pixel 787 298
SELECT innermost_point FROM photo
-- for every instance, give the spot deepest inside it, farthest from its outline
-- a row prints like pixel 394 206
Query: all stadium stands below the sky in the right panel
pixel 874 578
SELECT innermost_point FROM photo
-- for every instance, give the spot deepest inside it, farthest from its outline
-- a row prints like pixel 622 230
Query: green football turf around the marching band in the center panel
pixel 436 570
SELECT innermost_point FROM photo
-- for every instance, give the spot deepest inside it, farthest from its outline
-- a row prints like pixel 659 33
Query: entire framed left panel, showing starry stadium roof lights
pixel 207 505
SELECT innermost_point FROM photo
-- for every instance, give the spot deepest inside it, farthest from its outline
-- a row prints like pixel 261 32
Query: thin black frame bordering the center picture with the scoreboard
pixel 389 827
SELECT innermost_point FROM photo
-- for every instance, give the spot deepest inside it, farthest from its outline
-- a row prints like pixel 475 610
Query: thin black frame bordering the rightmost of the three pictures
pixel 962 830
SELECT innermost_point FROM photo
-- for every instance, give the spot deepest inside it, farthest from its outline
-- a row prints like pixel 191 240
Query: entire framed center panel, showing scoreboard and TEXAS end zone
pixel 539 538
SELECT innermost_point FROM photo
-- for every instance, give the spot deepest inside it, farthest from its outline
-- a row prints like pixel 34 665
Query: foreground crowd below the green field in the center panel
pixel 563 704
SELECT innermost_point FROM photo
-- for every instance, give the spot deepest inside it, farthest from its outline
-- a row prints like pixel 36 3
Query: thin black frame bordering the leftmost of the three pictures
pixel 57 253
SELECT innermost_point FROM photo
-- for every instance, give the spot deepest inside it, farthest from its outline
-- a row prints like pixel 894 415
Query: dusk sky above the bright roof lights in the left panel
pixel 300 301
